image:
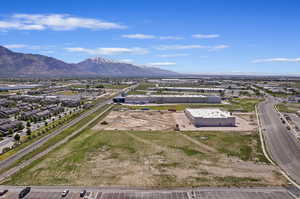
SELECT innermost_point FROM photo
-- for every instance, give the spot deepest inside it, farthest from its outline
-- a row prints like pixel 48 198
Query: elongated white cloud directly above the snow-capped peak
pixel 108 51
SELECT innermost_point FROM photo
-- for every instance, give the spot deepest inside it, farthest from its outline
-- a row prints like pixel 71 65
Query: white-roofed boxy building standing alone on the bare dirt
pixel 210 117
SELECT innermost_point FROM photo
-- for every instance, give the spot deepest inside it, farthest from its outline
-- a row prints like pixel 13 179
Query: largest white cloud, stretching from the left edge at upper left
pixel 54 22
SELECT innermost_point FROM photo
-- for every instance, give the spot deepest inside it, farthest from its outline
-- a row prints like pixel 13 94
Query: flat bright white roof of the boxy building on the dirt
pixel 208 113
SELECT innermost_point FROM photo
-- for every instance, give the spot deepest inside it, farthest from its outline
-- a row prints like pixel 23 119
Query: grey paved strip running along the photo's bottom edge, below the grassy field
pixel 200 193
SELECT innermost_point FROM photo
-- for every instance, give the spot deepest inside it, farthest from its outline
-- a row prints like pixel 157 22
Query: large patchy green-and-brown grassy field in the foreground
pixel 151 159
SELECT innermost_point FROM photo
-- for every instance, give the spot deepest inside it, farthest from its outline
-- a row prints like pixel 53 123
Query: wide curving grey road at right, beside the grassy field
pixel 281 144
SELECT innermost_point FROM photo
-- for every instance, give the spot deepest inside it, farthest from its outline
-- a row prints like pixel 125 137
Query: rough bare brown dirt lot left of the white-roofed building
pixel 138 120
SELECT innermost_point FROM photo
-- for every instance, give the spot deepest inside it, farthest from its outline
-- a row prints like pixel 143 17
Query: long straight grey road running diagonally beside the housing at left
pixel 7 162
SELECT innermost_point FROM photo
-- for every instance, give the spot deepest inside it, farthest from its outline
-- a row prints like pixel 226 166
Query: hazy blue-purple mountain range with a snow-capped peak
pixel 14 64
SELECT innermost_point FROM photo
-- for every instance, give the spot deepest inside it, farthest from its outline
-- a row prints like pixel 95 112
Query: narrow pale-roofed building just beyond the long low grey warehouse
pixel 190 89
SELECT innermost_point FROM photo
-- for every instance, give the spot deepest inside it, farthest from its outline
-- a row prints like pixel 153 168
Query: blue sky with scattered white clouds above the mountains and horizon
pixel 191 36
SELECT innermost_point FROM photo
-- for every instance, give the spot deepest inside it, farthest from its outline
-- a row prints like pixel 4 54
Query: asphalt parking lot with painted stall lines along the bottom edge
pixel 207 194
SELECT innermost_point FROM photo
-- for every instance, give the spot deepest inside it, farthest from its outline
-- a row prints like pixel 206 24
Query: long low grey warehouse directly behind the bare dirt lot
pixel 145 99
